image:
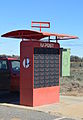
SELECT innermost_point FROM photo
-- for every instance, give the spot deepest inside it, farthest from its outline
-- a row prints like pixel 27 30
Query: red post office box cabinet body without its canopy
pixel 39 73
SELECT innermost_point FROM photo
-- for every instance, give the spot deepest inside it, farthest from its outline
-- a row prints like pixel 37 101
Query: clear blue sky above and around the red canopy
pixel 66 16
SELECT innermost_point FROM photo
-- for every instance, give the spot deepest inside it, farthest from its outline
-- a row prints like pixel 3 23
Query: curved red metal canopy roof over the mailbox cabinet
pixel 36 35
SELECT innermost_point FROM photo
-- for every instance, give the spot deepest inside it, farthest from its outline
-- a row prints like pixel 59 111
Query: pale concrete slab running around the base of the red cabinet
pixel 69 107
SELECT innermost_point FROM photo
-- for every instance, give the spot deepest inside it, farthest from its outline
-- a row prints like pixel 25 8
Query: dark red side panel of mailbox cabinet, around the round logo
pixel 26 76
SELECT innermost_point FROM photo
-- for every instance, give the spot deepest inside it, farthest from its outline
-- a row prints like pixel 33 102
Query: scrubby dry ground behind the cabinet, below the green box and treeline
pixel 73 85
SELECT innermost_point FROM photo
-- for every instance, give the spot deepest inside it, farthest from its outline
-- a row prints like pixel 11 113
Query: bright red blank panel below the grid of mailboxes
pixel 48 95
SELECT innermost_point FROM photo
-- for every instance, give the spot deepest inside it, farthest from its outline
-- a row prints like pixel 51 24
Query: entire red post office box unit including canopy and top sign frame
pixel 39 65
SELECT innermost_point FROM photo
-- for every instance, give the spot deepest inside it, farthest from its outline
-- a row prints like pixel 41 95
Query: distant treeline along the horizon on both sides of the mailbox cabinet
pixel 73 58
